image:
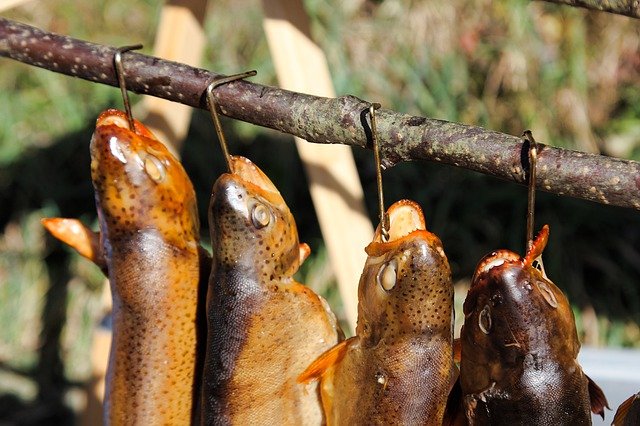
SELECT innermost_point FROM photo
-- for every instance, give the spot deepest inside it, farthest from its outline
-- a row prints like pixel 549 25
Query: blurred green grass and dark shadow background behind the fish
pixel 569 75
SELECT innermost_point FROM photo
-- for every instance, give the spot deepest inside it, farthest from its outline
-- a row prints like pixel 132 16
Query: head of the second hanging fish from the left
pixel 250 222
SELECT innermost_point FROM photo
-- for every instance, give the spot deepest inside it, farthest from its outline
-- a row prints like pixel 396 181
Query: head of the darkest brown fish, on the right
pixel 513 310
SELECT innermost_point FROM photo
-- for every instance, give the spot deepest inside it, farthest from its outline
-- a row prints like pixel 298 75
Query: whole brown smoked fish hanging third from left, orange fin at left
pixel 398 369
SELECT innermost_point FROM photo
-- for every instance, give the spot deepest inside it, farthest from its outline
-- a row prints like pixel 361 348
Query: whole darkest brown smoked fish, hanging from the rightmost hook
pixel 519 347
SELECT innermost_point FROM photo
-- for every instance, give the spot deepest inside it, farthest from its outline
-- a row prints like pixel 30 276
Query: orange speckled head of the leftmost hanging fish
pixel 139 184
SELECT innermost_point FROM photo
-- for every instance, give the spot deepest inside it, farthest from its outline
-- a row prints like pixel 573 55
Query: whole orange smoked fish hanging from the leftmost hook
pixel 148 245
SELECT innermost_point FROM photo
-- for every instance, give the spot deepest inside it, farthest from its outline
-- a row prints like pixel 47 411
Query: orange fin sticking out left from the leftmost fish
pixel 73 233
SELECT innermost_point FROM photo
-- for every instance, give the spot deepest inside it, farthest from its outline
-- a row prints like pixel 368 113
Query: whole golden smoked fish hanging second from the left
pixel 263 327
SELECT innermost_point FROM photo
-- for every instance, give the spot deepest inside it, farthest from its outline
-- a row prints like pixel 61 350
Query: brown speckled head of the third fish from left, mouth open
pixel 405 288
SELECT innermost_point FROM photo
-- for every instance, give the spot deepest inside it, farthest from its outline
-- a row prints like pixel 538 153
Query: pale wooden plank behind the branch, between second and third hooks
pixel 333 179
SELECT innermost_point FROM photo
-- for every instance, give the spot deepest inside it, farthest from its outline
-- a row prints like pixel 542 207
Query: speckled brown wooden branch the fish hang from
pixel 339 120
